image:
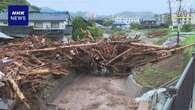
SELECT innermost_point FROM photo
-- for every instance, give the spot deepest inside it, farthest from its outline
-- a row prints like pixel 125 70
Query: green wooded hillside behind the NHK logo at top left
pixel 5 3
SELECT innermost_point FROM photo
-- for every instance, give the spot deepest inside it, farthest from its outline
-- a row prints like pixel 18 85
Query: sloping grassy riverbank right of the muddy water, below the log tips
pixel 154 75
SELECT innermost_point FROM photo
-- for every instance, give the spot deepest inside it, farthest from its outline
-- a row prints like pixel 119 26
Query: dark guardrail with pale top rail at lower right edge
pixel 181 96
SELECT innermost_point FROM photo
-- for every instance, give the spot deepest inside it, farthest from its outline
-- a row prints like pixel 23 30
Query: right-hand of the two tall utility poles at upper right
pixel 179 16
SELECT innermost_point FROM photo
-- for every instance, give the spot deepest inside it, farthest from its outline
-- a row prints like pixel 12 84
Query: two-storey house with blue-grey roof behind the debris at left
pixel 45 23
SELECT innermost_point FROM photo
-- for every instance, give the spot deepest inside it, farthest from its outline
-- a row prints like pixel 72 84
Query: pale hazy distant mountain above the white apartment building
pixel 136 14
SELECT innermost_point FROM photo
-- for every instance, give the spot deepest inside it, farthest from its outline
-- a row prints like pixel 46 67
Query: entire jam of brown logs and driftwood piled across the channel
pixel 27 63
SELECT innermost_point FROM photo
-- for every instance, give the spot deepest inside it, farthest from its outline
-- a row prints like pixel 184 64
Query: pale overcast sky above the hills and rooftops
pixel 106 6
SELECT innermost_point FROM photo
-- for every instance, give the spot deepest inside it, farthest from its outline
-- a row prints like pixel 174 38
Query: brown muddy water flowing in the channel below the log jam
pixel 95 93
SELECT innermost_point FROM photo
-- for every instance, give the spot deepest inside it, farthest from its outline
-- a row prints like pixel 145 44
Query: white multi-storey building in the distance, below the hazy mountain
pixel 125 22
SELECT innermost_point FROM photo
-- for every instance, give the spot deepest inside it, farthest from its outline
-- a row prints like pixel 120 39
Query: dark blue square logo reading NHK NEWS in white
pixel 18 15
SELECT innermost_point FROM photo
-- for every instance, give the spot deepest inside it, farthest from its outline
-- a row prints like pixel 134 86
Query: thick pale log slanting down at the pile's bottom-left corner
pixel 18 92
